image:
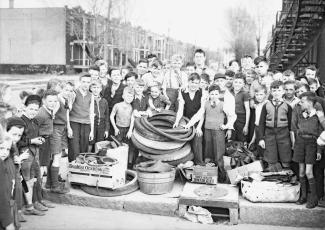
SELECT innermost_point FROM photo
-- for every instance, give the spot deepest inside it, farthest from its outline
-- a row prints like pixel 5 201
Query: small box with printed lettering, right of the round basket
pixel 205 175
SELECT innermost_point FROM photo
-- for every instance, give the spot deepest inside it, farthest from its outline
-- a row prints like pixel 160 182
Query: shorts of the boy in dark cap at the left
pixel 30 168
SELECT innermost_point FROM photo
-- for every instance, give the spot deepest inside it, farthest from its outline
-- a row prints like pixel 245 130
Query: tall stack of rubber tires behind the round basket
pixel 156 138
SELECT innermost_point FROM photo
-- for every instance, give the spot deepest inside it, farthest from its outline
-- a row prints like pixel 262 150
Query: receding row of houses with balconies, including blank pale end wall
pixel 69 39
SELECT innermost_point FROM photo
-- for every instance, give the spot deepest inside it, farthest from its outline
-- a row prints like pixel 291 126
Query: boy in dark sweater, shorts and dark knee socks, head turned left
pixel 305 129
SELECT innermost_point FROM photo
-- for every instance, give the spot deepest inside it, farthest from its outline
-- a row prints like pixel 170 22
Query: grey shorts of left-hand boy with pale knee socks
pixel 59 139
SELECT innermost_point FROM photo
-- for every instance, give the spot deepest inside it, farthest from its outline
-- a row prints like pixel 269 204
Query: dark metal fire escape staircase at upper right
pixel 297 29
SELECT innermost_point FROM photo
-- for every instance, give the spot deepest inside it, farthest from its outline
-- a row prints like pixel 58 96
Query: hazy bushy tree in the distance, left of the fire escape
pixel 243 30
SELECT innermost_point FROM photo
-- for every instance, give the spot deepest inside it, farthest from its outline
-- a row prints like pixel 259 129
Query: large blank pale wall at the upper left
pixel 33 36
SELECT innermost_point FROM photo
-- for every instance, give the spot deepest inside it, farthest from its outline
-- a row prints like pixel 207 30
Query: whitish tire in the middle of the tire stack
pixel 157 144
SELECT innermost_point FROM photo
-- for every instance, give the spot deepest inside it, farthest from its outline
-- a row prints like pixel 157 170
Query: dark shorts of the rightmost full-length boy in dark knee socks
pixel 305 150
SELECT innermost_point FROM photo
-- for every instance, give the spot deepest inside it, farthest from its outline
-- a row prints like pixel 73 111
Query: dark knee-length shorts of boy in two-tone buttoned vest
pixel 277 145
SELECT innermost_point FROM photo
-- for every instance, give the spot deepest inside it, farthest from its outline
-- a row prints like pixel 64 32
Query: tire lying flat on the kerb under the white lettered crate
pixel 129 187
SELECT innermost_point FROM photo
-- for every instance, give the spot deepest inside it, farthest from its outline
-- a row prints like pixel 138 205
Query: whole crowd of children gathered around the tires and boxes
pixel 282 115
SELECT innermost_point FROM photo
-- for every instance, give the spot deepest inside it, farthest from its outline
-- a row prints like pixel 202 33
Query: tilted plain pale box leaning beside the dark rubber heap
pixel 236 173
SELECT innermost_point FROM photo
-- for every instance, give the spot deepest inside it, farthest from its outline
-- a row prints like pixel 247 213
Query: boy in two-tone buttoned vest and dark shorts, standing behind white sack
pixel 274 127
